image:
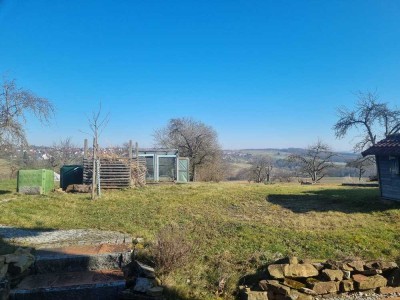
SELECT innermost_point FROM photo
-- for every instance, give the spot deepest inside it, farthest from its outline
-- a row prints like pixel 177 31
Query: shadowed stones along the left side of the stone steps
pixel 13 268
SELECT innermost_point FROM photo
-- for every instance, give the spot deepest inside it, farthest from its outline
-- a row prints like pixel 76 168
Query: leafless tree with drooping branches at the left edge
pixel 15 104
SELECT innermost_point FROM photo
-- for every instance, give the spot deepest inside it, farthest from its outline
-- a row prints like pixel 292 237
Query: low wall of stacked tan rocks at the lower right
pixel 289 279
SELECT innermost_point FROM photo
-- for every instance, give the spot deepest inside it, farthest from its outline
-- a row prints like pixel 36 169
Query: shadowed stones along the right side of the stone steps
pixel 141 282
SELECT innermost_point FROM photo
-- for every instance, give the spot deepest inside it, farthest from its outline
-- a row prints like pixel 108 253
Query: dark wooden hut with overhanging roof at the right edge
pixel 387 153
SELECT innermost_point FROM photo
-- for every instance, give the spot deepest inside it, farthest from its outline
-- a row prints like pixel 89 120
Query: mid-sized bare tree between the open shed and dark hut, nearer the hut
pixel 315 162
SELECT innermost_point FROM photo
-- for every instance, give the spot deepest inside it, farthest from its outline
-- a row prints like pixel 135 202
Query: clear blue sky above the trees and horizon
pixel 262 73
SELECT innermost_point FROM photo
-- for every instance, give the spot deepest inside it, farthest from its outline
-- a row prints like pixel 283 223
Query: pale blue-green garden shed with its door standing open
pixel 165 165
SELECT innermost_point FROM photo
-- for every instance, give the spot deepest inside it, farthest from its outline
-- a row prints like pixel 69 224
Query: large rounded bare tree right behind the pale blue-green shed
pixel 192 138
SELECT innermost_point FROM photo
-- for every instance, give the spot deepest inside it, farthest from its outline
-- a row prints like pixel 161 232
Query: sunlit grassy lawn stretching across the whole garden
pixel 235 228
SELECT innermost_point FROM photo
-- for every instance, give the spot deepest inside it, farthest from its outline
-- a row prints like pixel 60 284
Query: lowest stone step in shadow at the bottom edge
pixel 88 285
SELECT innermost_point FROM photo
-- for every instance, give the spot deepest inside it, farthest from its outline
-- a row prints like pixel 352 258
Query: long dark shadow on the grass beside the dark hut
pixel 351 200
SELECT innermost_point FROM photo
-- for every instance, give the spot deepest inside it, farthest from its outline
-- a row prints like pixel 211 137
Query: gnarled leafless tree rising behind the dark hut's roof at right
pixel 373 120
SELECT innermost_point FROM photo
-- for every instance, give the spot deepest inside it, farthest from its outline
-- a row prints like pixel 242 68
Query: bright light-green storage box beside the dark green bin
pixel 35 181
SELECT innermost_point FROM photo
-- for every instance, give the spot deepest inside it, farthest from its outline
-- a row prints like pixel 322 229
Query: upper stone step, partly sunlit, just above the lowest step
pixel 82 258
